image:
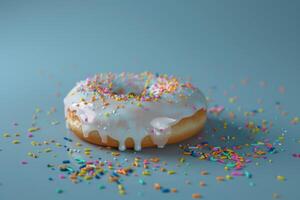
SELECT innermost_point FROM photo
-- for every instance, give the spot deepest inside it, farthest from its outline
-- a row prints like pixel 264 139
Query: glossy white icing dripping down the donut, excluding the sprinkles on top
pixel 152 118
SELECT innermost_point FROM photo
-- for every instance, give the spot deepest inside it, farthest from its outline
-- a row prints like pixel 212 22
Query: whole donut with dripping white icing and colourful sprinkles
pixel 135 110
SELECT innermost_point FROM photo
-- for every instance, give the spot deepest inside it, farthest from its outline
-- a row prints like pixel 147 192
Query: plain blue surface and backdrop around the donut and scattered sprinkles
pixel 47 46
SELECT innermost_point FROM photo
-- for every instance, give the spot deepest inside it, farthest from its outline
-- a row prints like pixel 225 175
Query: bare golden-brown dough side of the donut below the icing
pixel 184 129
